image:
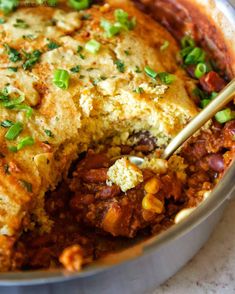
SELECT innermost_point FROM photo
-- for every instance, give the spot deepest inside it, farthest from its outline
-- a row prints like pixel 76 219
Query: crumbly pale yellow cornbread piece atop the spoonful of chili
pixel 125 174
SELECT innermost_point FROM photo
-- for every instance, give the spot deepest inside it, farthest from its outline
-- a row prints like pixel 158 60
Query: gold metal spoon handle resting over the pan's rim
pixel 223 98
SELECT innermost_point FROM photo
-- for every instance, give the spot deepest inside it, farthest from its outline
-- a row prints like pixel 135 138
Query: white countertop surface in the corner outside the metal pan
pixel 212 270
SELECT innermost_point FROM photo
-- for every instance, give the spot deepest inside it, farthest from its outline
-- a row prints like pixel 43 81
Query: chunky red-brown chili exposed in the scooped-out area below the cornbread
pixel 91 218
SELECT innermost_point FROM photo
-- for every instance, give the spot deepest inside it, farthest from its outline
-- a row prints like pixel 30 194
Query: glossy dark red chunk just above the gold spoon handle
pixel 212 82
